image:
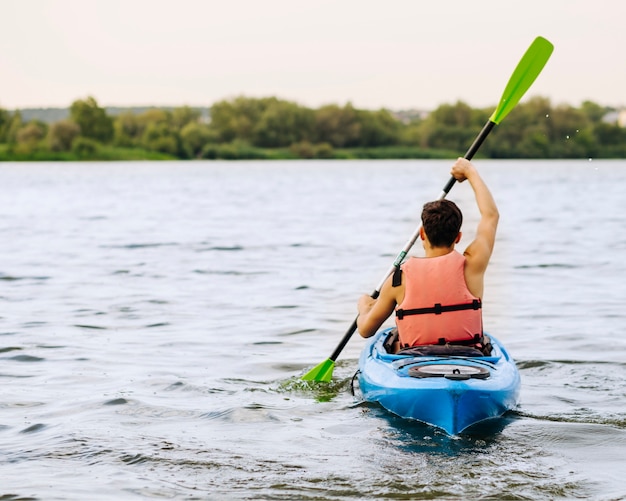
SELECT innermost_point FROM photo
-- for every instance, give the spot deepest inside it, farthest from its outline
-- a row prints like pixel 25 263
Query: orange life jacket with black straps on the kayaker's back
pixel 437 307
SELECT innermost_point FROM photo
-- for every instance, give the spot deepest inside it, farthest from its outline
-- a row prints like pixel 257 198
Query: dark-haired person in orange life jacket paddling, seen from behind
pixel 438 298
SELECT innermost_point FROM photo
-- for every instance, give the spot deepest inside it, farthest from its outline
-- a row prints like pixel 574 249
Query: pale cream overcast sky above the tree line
pixel 396 54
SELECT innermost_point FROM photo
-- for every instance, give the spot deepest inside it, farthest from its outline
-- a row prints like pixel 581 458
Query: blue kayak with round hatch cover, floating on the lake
pixel 451 392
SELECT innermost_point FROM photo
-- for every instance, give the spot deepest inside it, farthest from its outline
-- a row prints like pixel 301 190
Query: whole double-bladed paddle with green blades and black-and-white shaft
pixel 526 71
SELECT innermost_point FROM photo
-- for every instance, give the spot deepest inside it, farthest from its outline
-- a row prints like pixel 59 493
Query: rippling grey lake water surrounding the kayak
pixel 155 319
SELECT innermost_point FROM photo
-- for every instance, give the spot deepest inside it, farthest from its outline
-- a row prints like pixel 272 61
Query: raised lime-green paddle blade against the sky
pixel 525 73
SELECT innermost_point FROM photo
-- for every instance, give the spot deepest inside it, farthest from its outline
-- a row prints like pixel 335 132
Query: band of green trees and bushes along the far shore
pixel 245 127
